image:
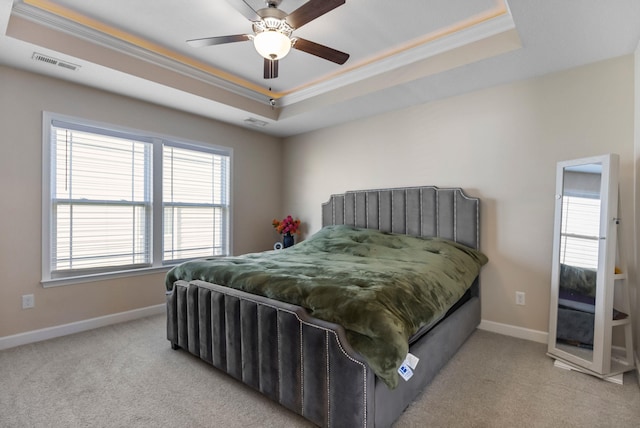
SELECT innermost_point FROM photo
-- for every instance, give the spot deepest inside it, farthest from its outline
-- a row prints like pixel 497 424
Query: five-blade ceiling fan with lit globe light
pixel 273 29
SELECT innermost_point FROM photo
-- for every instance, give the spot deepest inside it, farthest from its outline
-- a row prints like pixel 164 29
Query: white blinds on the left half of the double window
pixel 101 200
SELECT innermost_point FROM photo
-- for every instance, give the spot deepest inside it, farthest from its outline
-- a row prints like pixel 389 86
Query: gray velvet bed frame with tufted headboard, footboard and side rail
pixel 306 364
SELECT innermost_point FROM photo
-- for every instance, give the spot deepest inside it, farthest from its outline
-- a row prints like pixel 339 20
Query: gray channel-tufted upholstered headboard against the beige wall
pixel 417 211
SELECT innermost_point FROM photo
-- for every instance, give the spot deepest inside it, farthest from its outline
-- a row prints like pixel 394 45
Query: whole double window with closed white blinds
pixel 119 201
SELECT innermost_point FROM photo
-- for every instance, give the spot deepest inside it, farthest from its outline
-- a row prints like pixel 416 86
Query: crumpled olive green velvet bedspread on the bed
pixel 380 287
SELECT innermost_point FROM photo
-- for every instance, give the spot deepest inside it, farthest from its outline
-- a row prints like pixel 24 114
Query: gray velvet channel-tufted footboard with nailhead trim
pixel 301 362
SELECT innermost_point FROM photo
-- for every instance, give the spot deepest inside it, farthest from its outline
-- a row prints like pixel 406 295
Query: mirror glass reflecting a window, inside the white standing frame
pixel 579 243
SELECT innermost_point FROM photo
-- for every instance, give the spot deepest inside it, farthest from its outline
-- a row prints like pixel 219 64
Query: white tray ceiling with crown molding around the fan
pixel 402 53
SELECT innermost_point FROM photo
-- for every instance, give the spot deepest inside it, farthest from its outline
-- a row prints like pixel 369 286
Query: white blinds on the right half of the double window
pixel 196 205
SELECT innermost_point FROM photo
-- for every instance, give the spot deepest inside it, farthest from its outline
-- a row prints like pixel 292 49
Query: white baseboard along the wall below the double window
pixel 77 327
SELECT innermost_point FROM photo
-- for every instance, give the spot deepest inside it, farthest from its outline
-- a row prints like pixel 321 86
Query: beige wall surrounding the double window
pixel 256 166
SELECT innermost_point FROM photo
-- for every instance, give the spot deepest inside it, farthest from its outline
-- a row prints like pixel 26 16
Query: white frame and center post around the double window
pixel 158 142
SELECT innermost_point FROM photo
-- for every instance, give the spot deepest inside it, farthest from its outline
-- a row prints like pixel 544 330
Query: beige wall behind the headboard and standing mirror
pixel 500 144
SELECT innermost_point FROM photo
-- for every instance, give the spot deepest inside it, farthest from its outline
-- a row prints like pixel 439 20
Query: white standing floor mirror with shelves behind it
pixel 583 283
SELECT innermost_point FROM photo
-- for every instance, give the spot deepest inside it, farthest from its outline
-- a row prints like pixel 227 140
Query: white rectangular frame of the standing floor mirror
pixel 601 357
